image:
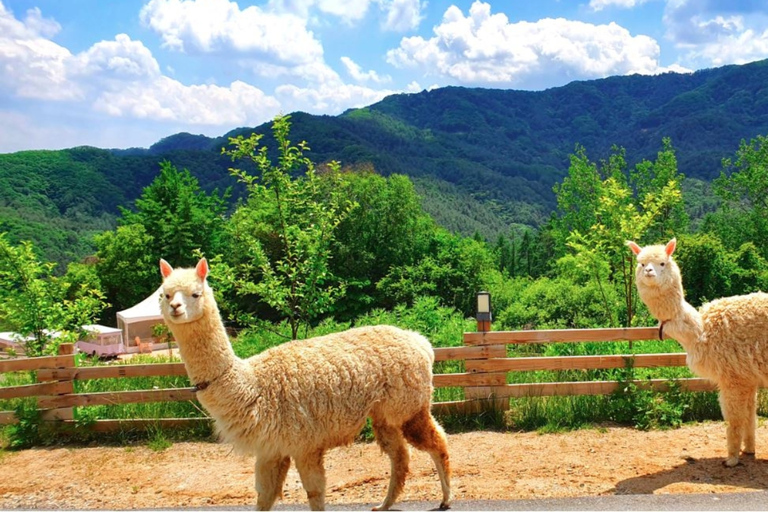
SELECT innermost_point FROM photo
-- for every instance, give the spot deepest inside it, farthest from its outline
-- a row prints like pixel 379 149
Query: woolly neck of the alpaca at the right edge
pixel 682 322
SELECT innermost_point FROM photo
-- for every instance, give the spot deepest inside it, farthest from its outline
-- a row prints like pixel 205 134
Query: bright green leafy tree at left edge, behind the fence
pixel 36 304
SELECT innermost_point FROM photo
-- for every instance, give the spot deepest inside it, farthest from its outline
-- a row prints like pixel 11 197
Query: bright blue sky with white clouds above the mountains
pixel 117 74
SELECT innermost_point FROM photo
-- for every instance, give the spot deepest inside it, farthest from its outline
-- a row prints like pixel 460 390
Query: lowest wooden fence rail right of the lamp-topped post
pixel 595 387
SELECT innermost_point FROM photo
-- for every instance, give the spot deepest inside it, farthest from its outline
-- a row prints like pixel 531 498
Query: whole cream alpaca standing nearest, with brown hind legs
pixel 299 399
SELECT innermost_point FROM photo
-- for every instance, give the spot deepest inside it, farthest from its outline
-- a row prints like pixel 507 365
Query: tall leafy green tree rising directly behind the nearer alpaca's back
pixel 284 232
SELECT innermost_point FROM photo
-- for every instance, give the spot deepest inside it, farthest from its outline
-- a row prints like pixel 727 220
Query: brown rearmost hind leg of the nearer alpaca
pixel 423 432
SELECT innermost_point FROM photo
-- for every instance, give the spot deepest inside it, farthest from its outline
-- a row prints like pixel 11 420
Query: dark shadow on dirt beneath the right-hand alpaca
pixel 751 473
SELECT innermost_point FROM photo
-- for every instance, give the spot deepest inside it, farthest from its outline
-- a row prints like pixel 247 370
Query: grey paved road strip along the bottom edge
pixel 757 500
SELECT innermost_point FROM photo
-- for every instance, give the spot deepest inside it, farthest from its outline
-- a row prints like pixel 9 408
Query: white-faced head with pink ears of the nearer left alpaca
pixel 184 292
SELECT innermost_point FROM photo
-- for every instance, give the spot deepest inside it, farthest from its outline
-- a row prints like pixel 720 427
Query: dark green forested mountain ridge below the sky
pixel 484 159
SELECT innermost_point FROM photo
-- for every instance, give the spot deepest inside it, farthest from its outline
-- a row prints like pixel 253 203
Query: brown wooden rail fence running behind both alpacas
pixel 484 380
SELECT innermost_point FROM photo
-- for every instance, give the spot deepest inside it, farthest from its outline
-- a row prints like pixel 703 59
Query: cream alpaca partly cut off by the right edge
pixel 726 340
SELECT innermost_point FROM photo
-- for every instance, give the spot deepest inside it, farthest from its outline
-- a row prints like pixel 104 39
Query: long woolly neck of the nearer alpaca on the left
pixel 205 347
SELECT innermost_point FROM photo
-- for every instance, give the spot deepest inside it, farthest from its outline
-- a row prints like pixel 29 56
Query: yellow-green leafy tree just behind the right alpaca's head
pixel 614 214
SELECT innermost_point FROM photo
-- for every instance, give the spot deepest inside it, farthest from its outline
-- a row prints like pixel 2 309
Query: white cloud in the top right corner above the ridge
pixel 717 32
